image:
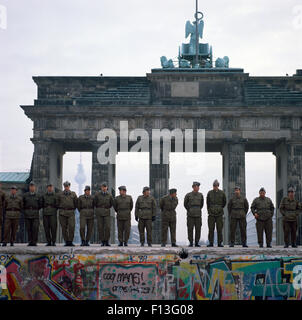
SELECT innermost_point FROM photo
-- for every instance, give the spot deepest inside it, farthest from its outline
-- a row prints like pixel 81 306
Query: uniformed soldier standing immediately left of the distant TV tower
pixel 67 204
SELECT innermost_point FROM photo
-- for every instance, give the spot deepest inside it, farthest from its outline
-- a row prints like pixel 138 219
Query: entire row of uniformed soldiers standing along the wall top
pixel 145 213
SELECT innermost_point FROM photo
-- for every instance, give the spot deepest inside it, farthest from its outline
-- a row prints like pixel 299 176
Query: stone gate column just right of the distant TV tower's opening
pixel 100 173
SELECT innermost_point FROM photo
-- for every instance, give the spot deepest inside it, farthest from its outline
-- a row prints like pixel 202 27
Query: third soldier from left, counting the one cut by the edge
pixel 32 204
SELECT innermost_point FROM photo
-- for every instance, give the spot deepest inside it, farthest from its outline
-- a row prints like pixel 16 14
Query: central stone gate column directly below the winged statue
pixel 159 185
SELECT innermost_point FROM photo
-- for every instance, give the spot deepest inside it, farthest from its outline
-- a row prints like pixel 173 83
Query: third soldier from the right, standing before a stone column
pixel 238 207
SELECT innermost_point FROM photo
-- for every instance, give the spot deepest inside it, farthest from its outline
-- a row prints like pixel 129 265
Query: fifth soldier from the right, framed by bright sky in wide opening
pixel 194 203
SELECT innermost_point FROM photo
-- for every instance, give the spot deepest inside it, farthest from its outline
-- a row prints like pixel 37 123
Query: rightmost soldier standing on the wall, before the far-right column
pixel 290 209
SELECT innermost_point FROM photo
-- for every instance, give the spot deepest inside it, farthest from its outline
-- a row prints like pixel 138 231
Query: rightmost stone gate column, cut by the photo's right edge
pixel 289 173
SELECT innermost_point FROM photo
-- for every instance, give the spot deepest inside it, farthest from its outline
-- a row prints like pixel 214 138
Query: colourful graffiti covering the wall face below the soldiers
pixel 118 276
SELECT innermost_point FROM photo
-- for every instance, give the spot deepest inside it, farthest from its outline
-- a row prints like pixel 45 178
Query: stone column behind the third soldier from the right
pixel 233 153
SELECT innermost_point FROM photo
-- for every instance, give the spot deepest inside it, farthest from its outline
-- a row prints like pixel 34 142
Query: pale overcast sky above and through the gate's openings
pixel 127 37
